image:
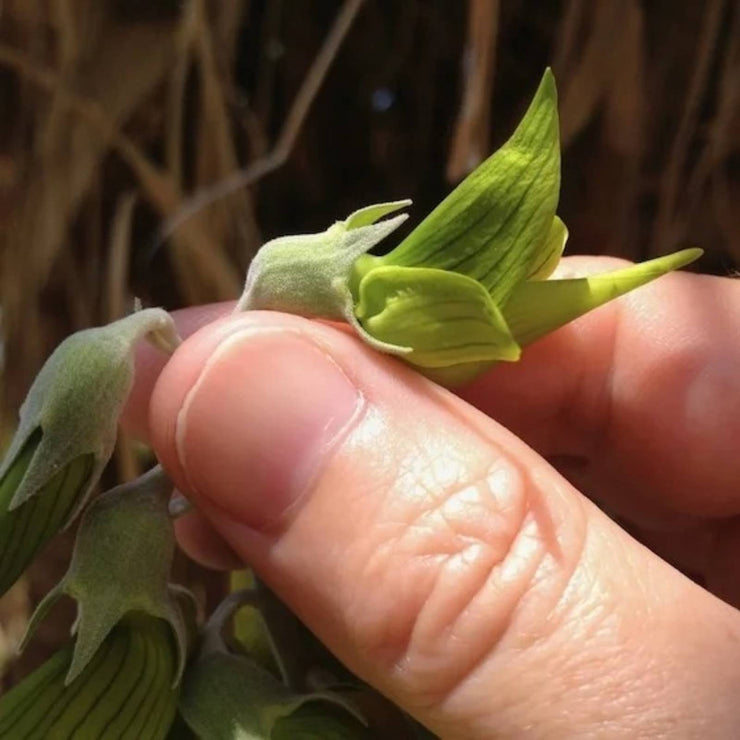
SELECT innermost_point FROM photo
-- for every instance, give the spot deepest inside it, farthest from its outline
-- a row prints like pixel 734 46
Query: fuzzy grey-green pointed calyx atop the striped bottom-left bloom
pixel 120 564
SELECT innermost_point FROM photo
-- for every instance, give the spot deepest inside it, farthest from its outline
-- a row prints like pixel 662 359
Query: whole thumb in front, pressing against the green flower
pixel 431 550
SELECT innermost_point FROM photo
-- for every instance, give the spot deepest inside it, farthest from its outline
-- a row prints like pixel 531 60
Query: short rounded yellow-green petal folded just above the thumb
pixel 444 318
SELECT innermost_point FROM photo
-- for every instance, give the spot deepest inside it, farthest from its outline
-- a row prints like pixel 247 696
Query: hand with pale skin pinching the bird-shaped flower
pixel 445 546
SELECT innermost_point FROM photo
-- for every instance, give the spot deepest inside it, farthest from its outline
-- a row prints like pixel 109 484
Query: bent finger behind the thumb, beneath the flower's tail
pixel 644 393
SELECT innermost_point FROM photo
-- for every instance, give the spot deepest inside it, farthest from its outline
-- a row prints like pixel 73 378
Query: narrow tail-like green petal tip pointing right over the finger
pixel 537 308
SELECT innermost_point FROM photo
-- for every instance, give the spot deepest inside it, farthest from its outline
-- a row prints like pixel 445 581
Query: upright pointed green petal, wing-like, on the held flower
pixel 492 226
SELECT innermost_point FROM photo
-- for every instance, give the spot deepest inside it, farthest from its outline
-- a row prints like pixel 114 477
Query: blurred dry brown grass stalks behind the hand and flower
pixel 115 111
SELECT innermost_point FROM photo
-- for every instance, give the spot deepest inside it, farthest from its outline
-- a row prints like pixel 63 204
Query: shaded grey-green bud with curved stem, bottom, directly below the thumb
pixel 230 695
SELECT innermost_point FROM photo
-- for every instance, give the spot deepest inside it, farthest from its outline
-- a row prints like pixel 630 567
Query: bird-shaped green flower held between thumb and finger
pixel 468 287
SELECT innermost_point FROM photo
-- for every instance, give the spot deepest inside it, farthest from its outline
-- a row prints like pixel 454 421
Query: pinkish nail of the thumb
pixel 260 419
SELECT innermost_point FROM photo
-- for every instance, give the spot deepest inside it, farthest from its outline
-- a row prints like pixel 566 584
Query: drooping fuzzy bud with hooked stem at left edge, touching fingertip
pixel 66 434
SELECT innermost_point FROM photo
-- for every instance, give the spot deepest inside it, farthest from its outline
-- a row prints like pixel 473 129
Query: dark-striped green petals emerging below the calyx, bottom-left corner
pixel 125 691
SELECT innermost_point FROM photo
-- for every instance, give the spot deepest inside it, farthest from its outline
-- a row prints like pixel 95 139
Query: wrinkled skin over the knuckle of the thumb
pixel 451 576
